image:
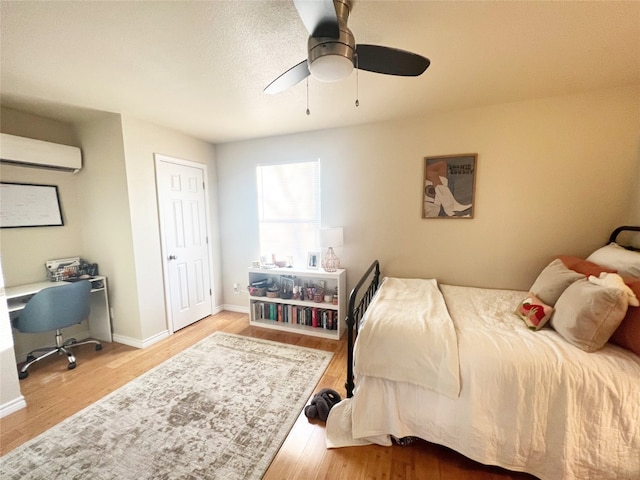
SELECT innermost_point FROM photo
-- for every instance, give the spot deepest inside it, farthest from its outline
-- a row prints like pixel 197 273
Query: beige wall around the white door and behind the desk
pixel 110 212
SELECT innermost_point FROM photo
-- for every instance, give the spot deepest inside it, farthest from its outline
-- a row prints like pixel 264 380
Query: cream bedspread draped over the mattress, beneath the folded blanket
pixel 529 401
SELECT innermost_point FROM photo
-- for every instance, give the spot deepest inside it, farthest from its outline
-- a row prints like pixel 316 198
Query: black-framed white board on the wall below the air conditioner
pixel 29 205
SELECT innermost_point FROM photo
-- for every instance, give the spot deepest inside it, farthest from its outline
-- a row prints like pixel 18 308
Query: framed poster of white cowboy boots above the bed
pixel 448 186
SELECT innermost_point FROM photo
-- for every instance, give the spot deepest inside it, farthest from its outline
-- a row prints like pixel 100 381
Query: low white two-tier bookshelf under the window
pixel 320 319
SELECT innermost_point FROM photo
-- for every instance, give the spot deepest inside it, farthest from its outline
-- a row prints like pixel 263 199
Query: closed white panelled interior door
pixel 183 219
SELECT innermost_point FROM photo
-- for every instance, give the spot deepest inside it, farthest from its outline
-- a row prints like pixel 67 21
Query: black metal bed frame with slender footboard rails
pixel 356 308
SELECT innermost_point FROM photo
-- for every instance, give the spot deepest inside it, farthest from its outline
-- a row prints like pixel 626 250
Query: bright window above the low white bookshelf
pixel 289 210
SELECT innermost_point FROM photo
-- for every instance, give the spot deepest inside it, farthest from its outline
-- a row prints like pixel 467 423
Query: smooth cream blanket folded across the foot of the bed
pixel 424 351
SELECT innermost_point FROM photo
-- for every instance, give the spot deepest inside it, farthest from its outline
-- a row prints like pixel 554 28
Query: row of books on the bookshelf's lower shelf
pixel 296 315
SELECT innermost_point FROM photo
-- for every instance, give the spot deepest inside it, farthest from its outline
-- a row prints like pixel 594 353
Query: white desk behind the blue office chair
pixel 99 317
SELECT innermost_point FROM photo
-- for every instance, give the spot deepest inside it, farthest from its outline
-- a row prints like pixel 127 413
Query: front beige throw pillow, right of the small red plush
pixel 586 314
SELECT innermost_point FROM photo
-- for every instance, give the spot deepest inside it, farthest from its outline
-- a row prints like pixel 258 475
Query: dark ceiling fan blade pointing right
pixel 390 61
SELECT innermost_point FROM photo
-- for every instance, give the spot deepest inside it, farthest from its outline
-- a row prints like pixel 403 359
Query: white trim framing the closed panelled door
pixel 158 158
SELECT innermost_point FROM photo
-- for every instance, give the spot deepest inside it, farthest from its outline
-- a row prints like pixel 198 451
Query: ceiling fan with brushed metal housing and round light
pixel 333 53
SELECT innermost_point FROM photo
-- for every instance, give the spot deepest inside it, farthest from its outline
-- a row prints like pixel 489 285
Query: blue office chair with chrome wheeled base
pixel 54 308
